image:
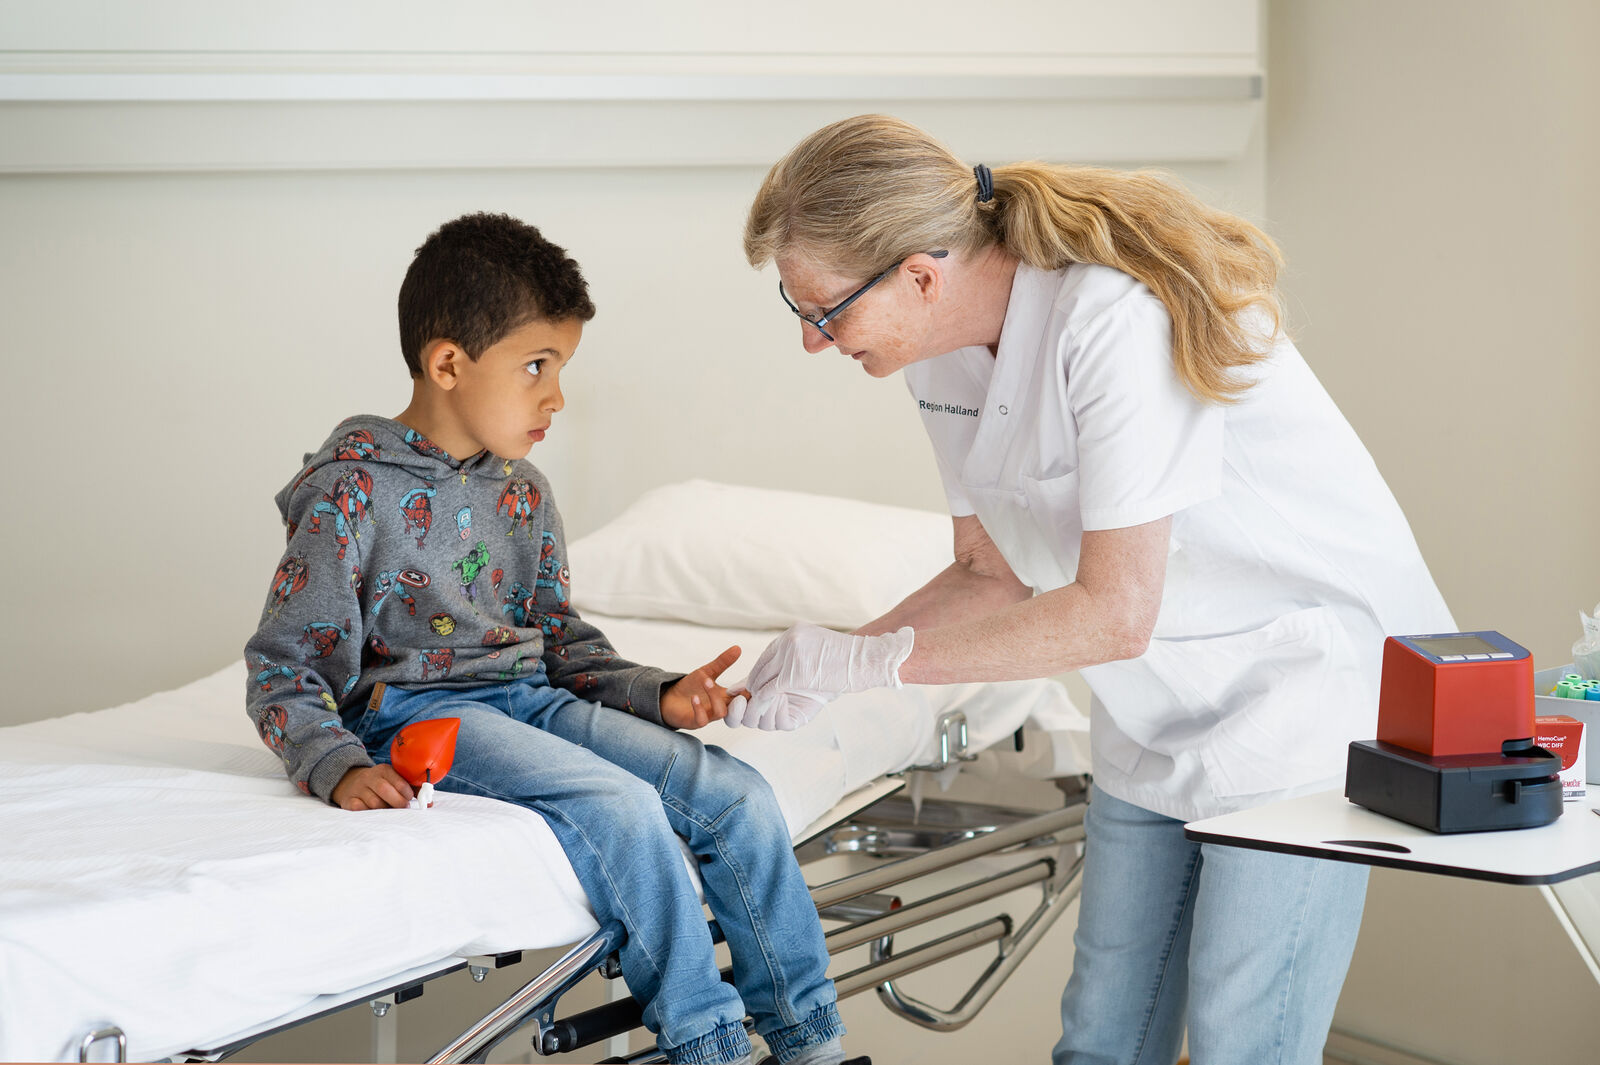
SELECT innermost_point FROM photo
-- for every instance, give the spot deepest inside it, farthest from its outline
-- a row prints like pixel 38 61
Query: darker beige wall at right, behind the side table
pixel 1431 175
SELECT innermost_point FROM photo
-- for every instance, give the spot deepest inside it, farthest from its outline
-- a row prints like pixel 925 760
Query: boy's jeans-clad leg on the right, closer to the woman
pixel 727 813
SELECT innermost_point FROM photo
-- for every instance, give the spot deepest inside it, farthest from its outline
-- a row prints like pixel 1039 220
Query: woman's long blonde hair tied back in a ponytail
pixel 870 191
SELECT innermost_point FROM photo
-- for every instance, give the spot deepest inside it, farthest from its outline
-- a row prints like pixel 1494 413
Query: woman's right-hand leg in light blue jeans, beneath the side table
pixel 1271 946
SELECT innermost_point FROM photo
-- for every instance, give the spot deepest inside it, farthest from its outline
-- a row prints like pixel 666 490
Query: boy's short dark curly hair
pixel 481 277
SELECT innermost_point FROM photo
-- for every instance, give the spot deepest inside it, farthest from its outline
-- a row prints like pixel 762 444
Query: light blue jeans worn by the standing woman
pixel 1249 947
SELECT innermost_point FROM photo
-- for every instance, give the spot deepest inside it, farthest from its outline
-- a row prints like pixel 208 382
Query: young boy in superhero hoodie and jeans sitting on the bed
pixel 426 578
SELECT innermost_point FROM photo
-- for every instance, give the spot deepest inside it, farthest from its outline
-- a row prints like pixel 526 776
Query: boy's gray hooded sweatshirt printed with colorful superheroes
pixel 406 567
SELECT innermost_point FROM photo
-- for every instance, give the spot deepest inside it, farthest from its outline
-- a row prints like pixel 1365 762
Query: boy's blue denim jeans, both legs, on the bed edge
pixel 618 792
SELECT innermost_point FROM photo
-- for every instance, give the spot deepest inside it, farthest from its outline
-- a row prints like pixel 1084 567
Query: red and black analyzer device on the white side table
pixel 1455 738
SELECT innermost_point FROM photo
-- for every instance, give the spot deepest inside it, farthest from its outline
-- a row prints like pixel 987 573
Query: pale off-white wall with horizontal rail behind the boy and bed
pixel 180 332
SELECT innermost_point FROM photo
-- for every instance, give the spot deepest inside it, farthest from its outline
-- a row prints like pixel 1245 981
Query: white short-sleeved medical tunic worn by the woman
pixel 1289 564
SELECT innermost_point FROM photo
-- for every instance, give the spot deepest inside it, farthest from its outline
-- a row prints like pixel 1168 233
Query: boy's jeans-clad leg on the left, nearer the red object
pixel 618 840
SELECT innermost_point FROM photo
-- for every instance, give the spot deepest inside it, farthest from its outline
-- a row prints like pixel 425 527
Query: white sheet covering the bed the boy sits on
pixel 158 872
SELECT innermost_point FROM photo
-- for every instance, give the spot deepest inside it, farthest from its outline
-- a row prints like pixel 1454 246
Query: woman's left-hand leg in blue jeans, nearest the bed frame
pixel 1126 1000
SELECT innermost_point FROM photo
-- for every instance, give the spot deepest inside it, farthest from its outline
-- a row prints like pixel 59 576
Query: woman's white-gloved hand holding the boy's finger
pixel 809 668
